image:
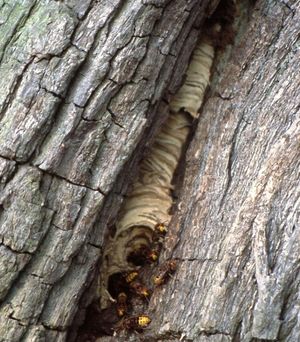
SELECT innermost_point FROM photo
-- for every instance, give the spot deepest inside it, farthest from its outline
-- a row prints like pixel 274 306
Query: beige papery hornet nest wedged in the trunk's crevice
pixel 150 200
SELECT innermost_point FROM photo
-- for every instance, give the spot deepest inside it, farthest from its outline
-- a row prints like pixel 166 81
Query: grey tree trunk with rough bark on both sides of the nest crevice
pixel 82 84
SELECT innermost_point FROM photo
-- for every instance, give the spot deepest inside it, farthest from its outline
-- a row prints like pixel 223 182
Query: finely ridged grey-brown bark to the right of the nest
pixel 235 232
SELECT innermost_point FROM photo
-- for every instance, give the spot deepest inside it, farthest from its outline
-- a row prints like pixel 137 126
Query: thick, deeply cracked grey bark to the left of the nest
pixel 79 88
